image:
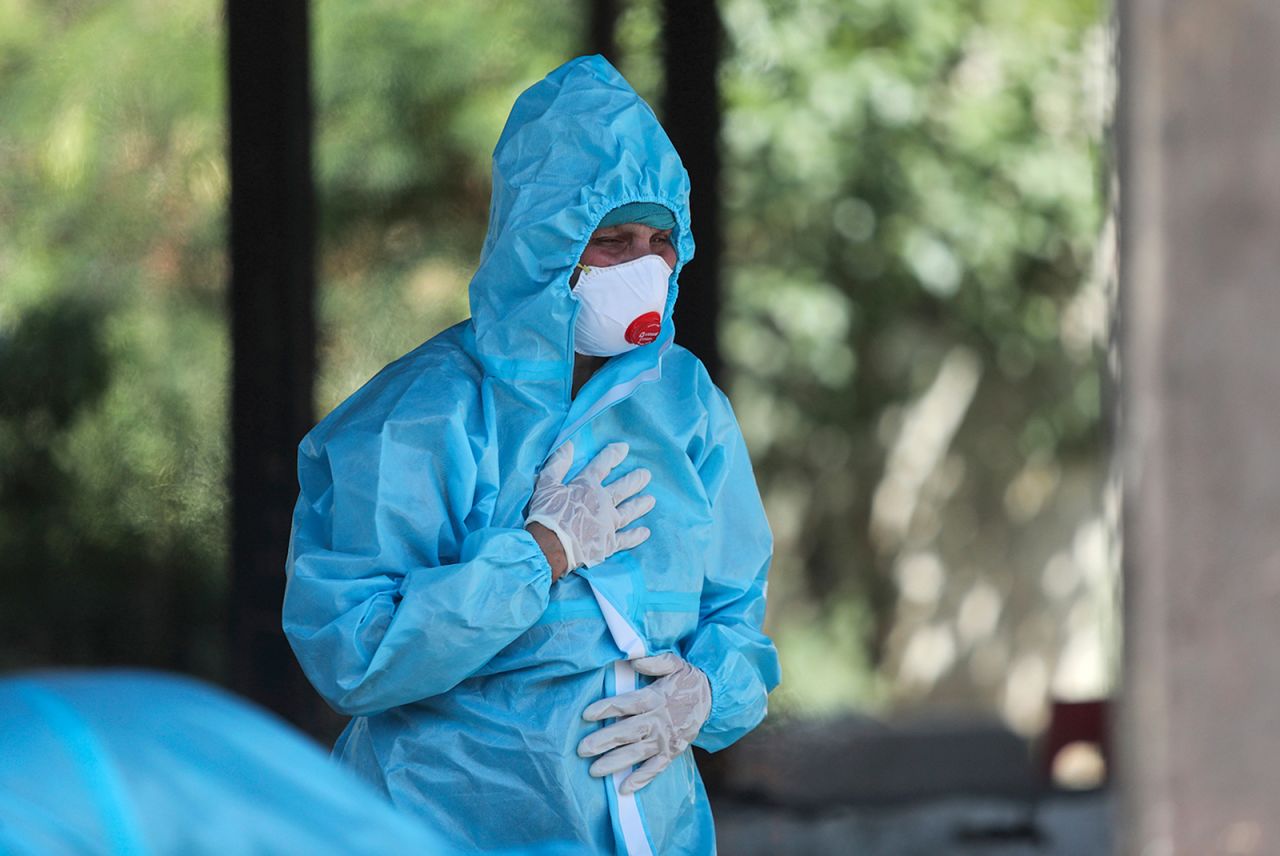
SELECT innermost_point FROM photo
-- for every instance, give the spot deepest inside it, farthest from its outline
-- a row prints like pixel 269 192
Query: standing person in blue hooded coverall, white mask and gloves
pixel 529 557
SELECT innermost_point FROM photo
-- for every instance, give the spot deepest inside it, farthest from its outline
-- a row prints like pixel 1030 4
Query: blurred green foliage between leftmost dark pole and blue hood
pixel 412 99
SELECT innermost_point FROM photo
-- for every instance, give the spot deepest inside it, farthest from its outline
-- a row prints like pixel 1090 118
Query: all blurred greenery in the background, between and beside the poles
pixel 918 277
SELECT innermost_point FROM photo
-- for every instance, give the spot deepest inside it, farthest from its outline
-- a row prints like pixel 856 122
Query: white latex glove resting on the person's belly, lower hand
pixel 657 722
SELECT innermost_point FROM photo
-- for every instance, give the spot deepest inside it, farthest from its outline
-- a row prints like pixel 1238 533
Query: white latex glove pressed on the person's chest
pixel 586 514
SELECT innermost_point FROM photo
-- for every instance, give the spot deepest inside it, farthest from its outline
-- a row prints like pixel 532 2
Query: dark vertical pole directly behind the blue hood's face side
pixel 692 116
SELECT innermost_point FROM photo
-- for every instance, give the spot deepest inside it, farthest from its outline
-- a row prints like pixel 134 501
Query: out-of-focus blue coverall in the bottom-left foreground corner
pixel 134 763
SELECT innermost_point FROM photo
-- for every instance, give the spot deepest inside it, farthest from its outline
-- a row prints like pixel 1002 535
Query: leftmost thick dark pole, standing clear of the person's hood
pixel 273 337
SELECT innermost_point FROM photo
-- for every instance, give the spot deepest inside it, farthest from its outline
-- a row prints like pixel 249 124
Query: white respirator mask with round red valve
pixel 623 306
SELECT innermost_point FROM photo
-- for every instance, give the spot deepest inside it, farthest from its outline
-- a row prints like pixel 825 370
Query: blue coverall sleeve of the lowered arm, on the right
pixel 730 646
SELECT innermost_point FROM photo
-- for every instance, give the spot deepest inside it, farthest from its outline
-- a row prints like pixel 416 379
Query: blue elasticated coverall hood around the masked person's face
pixel 578 145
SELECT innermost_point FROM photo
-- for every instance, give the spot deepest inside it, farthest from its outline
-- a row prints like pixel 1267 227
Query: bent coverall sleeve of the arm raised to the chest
pixel 392 597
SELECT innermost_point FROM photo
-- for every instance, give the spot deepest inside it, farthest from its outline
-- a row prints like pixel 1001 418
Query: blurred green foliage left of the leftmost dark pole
pixel 113 349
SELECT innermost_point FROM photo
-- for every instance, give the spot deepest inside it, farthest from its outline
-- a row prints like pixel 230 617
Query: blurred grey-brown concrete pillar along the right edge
pixel 1200 164
